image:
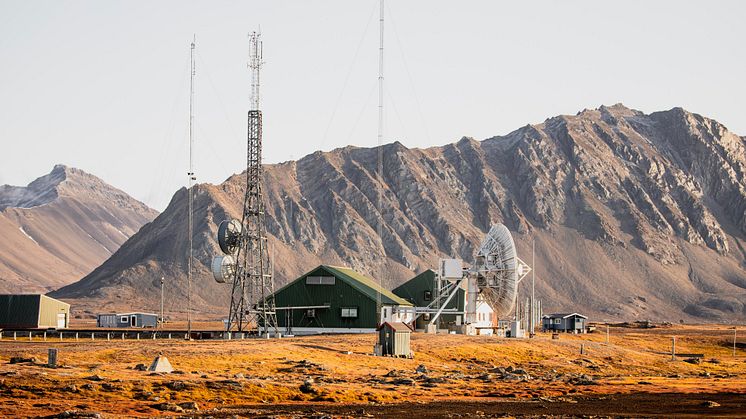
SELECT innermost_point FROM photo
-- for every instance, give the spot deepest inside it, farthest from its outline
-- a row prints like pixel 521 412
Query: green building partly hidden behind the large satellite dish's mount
pixel 421 290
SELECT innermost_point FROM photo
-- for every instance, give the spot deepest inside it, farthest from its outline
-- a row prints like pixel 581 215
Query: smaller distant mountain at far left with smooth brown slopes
pixel 60 227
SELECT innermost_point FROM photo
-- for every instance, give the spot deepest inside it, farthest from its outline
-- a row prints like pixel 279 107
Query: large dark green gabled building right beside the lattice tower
pixel 332 299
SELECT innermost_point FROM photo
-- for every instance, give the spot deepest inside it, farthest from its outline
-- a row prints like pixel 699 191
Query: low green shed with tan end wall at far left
pixel 32 311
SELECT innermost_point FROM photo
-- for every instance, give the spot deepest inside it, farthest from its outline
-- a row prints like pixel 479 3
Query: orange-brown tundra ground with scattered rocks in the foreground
pixel 302 375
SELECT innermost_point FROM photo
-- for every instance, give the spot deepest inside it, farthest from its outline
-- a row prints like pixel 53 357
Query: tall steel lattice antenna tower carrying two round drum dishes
pixel 252 296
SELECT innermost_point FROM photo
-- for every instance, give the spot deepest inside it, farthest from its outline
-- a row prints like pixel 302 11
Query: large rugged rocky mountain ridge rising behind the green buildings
pixel 634 216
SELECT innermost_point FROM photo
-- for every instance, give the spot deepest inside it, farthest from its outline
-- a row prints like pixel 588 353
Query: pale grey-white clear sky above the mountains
pixel 104 85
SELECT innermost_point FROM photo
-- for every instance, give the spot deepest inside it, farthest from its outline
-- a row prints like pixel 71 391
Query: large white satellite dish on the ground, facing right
pixel 499 270
